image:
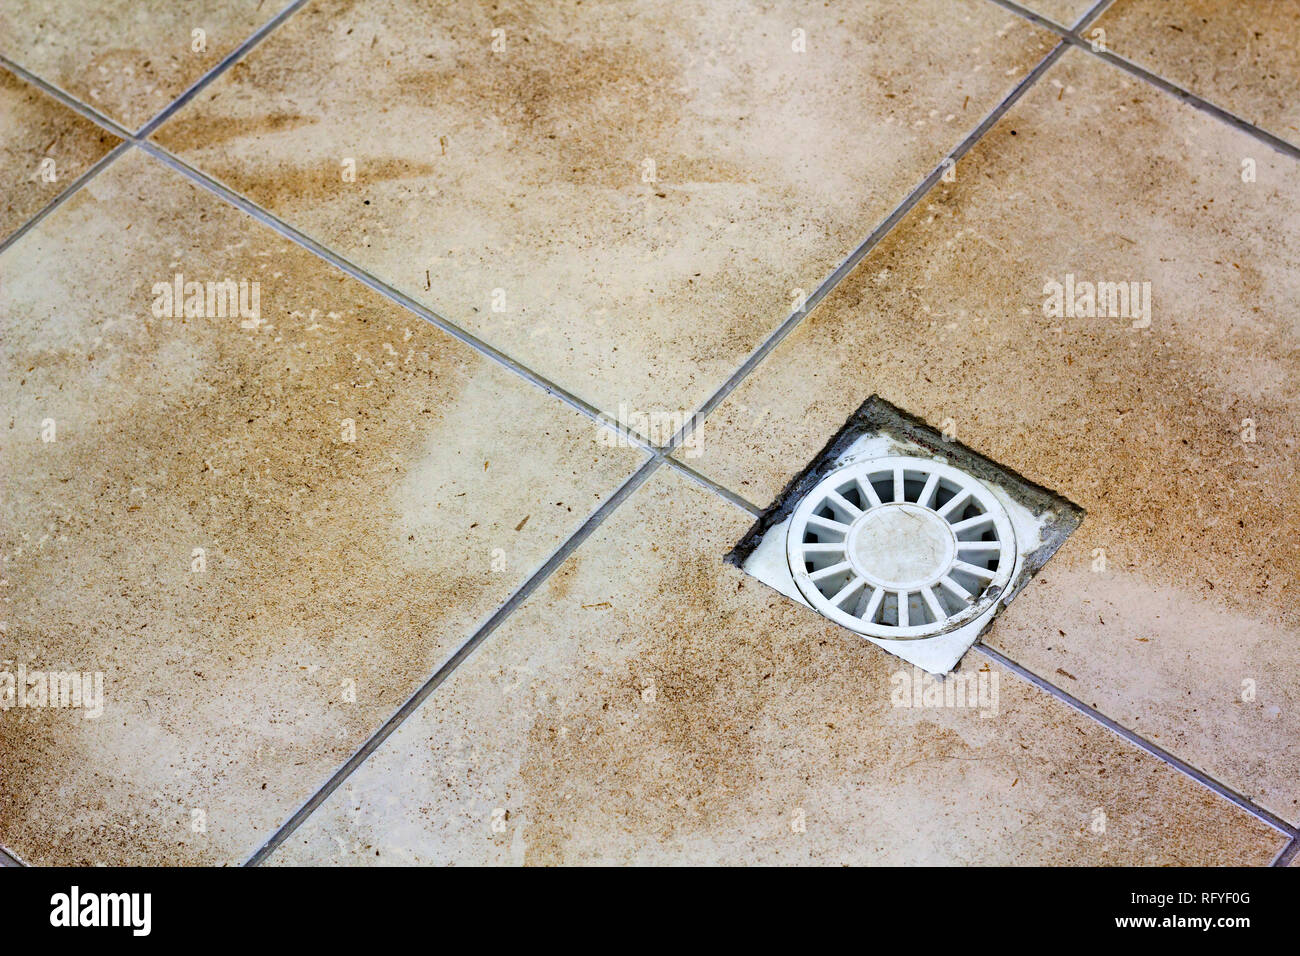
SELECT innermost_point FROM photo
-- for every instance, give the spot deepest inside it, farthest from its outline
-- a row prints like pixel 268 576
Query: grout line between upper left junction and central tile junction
pixel 393 295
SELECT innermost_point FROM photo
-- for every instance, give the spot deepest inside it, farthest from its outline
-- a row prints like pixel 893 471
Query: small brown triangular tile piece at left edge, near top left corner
pixel 44 148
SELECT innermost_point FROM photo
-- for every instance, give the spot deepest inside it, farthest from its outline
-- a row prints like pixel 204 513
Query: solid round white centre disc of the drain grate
pixel 902 547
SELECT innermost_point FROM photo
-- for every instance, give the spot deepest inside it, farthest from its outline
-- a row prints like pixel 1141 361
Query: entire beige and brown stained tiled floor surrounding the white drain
pixel 371 579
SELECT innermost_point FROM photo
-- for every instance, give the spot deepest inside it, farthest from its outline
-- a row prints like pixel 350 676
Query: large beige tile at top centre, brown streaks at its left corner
pixel 626 197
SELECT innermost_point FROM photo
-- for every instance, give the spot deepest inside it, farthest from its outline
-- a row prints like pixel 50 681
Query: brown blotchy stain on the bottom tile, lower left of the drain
pixel 606 743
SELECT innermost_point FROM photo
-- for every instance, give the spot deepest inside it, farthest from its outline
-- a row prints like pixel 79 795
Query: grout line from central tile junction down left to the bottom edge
pixel 497 617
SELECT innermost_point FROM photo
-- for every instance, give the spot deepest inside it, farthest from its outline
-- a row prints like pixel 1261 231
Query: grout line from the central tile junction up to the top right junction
pixel 859 254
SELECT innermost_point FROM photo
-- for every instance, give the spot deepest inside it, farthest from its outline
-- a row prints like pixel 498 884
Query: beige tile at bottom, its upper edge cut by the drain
pixel 652 704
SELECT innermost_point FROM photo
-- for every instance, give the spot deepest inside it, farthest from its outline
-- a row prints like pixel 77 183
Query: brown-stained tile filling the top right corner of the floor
pixel 1241 55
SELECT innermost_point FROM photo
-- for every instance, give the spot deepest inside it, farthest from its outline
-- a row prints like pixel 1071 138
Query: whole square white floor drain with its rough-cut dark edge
pixel 930 624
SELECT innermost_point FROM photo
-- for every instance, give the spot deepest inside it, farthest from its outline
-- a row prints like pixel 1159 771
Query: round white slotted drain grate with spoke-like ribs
pixel 900 548
